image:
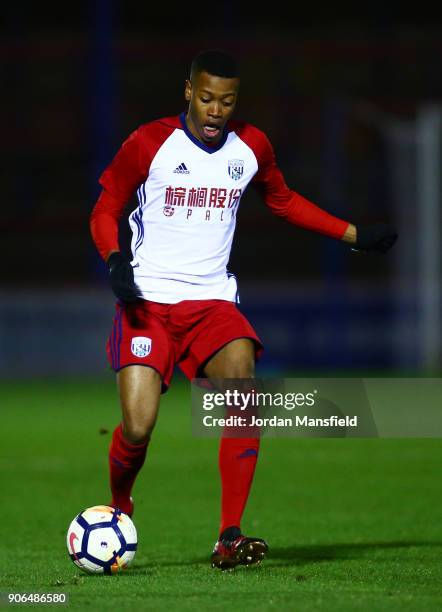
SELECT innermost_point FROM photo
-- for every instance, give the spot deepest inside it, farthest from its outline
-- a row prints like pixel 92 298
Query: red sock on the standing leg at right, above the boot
pixel 237 462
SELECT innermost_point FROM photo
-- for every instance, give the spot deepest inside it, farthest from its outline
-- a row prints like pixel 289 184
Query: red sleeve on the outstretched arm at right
pixel 281 200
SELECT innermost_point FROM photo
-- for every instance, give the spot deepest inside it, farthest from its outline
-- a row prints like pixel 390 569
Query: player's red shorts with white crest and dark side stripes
pixel 187 333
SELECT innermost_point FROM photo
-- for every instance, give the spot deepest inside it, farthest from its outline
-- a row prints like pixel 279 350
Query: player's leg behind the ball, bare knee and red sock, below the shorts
pixel 140 390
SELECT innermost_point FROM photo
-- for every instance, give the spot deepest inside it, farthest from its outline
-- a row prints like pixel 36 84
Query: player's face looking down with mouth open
pixel 212 100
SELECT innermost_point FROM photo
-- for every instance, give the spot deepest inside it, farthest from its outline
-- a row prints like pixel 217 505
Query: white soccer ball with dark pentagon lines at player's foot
pixel 102 540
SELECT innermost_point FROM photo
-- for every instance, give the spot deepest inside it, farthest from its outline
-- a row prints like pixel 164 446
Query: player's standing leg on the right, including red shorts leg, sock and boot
pixel 218 342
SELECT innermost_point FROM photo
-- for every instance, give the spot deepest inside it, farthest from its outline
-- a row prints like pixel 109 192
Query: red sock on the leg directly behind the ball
pixel 125 461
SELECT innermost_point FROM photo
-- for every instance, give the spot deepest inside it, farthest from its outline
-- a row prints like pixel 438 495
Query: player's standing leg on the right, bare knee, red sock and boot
pixel 237 461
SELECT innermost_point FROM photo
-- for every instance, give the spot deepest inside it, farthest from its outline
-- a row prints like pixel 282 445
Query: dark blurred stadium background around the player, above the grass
pixel 353 107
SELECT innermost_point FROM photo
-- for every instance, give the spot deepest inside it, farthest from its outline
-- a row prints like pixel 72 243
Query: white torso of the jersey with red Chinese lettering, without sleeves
pixel 184 225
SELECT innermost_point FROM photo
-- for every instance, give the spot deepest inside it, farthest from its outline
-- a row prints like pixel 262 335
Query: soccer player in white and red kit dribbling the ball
pixel 176 301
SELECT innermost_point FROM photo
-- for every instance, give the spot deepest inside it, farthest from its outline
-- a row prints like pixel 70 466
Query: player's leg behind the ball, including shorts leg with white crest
pixel 141 352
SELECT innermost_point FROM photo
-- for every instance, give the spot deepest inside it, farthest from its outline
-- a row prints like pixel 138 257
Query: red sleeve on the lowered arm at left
pixel 129 168
